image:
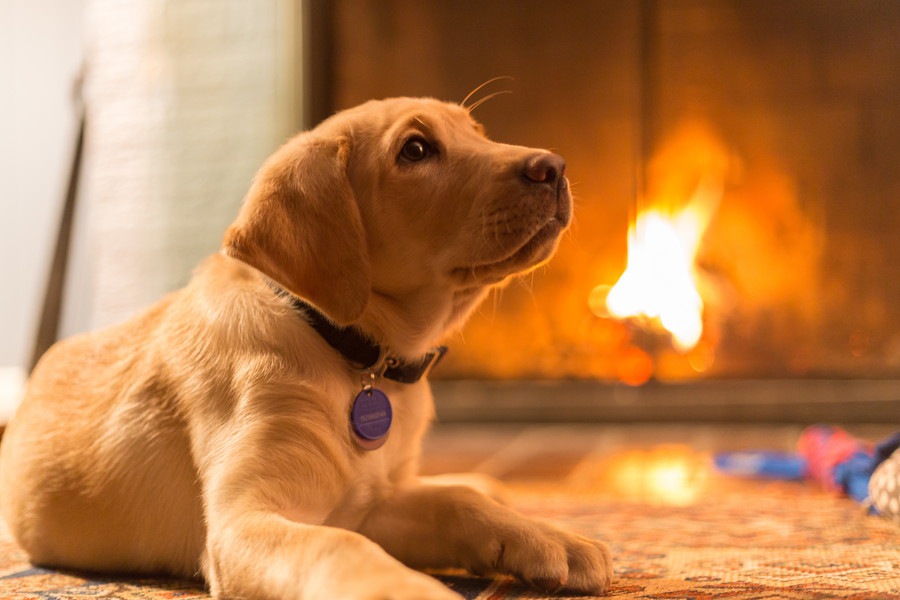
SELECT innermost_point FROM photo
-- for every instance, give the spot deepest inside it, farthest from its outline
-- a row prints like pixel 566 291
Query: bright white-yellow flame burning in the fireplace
pixel 659 282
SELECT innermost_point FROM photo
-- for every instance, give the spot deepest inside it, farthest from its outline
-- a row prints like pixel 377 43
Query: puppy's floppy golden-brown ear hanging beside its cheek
pixel 301 227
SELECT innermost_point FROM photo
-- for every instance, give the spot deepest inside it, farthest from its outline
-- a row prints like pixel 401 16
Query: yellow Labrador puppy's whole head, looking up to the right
pixel 405 199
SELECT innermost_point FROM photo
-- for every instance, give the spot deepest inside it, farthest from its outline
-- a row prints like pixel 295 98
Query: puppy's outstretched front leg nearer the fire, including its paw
pixel 444 526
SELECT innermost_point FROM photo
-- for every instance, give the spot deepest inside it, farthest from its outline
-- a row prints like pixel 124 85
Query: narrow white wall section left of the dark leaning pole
pixel 40 57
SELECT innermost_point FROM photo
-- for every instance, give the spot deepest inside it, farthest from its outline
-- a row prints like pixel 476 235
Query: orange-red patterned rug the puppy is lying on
pixel 780 541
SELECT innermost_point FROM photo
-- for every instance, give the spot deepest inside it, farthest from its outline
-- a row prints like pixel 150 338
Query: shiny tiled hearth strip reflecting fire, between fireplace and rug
pixel 668 465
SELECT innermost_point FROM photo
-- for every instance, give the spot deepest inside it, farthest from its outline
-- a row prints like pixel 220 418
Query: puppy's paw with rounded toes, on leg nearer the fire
pixel 552 559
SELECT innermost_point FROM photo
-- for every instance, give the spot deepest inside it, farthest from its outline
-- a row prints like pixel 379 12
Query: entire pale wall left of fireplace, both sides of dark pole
pixel 185 99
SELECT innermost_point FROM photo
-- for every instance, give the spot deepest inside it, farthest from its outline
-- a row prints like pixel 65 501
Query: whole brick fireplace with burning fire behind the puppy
pixel 737 197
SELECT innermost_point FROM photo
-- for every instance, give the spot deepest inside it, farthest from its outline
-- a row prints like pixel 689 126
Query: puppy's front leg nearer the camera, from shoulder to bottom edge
pixel 270 480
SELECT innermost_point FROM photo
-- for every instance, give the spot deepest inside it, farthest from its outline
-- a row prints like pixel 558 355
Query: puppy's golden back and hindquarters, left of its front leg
pixel 94 452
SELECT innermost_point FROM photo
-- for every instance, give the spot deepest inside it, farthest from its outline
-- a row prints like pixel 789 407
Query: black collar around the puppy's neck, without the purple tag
pixel 359 351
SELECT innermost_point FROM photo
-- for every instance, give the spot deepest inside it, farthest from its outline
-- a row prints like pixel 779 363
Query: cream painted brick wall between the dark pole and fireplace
pixel 186 99
